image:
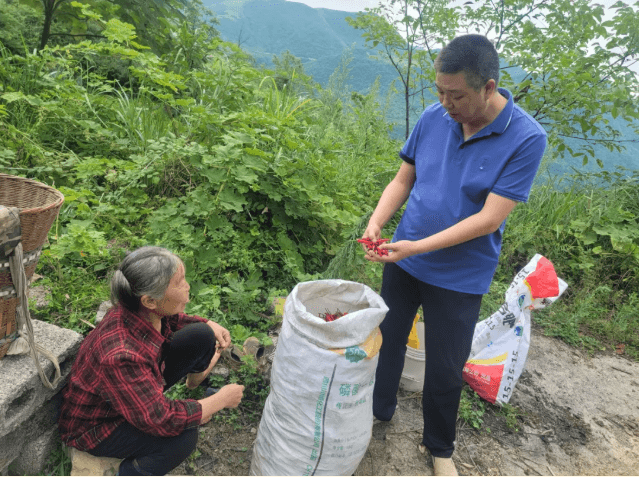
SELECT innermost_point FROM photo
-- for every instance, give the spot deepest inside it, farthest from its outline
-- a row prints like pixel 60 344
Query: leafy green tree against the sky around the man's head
pixel 576 65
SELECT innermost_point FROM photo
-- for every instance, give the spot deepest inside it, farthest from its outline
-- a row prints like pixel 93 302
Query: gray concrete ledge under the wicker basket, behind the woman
pixel 28 410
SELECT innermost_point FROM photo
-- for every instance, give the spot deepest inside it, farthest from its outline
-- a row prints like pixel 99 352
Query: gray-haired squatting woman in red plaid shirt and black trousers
pixel 114 403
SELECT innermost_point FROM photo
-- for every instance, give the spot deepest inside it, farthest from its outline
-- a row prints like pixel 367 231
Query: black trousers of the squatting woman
pixel 190 351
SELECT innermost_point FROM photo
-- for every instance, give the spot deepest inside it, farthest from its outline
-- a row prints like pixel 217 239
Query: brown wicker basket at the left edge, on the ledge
pixel 39 206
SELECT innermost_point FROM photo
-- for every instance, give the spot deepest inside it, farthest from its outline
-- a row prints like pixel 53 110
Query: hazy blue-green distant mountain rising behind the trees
pixel 319 37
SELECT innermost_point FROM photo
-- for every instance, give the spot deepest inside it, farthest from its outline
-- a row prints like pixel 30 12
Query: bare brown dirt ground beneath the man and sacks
pixel 580 416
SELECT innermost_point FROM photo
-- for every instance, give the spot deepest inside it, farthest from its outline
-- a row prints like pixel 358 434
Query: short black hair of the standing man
pixel 474 55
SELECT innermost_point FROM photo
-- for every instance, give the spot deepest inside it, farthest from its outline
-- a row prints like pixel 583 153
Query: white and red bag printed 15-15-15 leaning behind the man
pixel 501 342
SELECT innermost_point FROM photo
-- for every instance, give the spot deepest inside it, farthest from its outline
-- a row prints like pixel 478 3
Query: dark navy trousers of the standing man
pixel 449 324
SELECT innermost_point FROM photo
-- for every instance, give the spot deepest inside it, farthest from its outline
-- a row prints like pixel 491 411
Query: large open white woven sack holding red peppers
pixel 318 416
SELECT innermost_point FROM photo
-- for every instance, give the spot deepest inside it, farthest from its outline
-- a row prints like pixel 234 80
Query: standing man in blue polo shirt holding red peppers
pixel 469 160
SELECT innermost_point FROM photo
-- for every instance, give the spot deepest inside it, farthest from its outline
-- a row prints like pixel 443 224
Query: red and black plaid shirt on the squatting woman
pixel 117 377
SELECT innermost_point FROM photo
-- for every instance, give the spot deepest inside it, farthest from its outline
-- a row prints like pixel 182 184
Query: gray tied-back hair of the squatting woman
pixel 145 271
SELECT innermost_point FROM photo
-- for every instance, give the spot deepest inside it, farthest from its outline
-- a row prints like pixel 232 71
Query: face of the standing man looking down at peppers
pixel 463 103
